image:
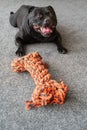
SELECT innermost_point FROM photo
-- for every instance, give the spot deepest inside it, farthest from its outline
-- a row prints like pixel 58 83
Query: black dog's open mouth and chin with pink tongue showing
pixel 44 31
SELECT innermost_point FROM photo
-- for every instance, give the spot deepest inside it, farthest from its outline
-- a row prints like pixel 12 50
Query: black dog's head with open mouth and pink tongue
pixel 43 20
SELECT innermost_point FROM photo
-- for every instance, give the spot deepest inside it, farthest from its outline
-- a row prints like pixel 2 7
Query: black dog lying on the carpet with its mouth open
pixel 36 24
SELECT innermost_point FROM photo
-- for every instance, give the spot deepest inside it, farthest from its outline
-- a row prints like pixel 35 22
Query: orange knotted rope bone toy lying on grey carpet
pixel 47 91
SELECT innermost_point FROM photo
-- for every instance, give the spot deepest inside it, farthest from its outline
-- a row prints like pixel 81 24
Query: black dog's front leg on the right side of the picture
pixel 58 41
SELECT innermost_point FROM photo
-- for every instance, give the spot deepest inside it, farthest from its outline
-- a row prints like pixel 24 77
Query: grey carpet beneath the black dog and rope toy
pixel 16 88
